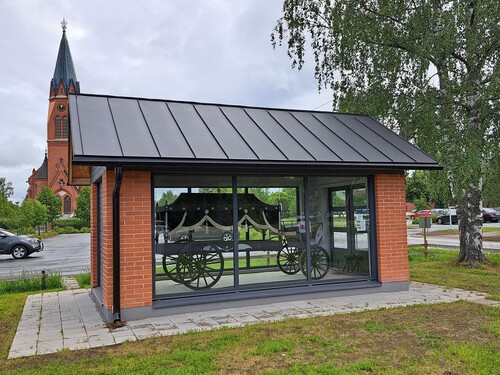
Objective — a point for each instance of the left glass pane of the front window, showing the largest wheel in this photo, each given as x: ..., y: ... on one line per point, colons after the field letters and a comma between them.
x: 193, y: 234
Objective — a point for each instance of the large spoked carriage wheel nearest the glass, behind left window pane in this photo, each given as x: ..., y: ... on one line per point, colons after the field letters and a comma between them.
x: 200, y: 265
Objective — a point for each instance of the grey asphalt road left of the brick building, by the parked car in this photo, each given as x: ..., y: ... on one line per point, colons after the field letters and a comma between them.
x: 67, y: 254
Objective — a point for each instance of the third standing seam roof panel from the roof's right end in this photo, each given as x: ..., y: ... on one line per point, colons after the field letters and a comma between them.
x: 359, y: 144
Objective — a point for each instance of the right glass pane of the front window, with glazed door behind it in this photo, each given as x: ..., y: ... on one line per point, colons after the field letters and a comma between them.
x: 339, y: 206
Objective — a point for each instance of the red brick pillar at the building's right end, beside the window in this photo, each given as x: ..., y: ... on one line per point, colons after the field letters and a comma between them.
x: 390, y: 202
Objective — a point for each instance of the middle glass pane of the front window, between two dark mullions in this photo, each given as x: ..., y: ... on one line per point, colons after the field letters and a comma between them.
x: 271, y: 230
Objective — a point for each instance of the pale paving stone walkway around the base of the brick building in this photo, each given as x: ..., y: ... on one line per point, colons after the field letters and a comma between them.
x: 69, y: 319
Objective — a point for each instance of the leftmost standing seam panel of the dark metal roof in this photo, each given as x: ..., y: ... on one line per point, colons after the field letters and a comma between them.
x: 96, y: 127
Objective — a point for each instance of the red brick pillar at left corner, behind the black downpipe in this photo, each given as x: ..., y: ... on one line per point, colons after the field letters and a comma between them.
x: 136, y: 256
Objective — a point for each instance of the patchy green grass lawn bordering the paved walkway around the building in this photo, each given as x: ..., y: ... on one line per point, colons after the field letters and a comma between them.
x: 456, y: 338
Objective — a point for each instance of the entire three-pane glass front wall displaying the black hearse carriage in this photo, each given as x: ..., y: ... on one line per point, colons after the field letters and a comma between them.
x: 221, y: 234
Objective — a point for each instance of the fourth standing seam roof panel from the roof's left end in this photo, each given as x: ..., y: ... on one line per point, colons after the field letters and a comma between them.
x: 197, y: 135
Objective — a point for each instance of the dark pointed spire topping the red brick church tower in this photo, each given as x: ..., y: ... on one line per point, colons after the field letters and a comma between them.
x: 64, y: 80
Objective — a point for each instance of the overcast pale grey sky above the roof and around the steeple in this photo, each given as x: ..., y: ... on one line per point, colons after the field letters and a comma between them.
x: 206, y: 50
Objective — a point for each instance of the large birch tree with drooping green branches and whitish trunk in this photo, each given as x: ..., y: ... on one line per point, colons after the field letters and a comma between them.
x: 429, y: 69
